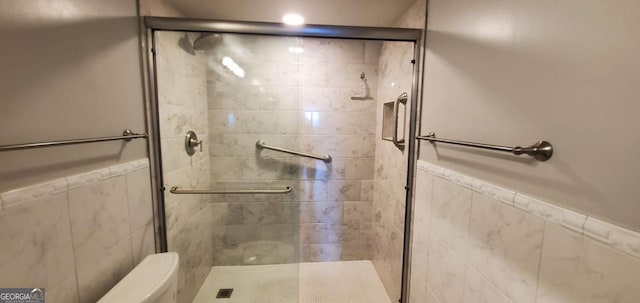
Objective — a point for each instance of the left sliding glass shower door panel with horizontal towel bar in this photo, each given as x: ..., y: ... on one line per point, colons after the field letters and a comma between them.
x: 231, y: 207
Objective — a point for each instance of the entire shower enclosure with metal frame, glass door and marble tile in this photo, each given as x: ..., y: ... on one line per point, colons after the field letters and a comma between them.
x: 270, y: 158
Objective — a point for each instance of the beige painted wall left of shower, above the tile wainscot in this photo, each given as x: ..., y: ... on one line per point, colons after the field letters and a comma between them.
x: 70, y: 69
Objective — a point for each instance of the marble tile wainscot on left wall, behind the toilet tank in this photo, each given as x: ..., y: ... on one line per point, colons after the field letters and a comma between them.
x: 77, y: 236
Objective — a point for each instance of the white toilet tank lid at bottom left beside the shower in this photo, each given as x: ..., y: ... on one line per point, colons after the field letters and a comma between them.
x: 154, y: 280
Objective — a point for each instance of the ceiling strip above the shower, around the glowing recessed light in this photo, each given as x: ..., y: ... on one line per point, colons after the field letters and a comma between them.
x: 334, y: 12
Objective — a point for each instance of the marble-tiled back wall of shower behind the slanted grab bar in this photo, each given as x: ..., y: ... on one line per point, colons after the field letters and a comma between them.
x: 293, y: 93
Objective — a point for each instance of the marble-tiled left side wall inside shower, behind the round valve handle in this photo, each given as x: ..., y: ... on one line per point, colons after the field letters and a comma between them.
x: 182, y: 97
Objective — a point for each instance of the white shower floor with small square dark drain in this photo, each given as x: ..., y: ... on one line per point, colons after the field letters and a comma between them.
x: 318, y: 282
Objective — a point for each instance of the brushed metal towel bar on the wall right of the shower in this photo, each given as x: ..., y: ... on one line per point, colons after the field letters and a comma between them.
x: 541, y: 150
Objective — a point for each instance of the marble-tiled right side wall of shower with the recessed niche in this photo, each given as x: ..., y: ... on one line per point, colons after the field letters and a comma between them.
x: 396, y: 73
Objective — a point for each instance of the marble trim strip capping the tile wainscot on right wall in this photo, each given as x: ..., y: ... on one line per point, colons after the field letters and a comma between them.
x: 614, y: 236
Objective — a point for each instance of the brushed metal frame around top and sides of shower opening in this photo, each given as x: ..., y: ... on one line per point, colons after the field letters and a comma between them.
x: 394, y: 34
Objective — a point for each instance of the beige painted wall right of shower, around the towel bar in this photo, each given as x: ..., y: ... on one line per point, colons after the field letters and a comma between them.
x: 513, y: 72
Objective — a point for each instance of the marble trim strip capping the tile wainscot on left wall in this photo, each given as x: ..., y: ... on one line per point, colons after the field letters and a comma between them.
x: 44, y: 190
